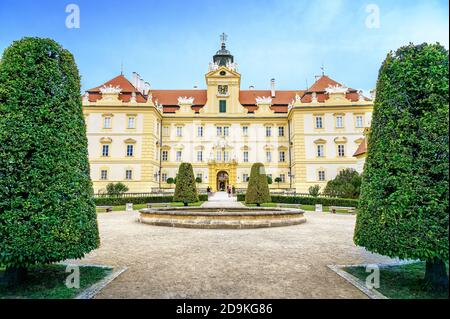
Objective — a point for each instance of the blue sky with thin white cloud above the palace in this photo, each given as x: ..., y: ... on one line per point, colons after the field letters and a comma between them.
x: 170, y: 43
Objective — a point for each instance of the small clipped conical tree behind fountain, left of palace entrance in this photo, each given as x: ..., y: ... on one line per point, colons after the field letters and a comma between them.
x: 185, y: 190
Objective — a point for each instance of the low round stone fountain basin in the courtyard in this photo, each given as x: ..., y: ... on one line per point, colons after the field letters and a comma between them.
x: 222, y: 218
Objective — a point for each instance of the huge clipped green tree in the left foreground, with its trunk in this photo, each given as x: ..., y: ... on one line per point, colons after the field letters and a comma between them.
x: 47, y: 211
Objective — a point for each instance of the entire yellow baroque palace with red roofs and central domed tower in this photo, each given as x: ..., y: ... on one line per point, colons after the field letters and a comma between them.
x: 139, y: 136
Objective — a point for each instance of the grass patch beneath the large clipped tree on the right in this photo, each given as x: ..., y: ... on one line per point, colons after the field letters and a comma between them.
x: 400, y: 282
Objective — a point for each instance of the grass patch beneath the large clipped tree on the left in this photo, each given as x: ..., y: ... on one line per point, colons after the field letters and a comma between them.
x: 49, y: 282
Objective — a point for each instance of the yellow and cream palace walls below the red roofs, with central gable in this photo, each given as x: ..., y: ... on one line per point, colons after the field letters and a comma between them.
x: 156, y: 132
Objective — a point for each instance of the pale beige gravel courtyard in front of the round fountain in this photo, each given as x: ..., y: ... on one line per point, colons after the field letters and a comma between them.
x: 288, y: 262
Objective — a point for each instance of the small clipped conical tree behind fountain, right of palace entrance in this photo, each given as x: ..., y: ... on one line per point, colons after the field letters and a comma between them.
x: 258, y: 187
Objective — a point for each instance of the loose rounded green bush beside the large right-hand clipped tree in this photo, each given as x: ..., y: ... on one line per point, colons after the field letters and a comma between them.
x: 347, y: 184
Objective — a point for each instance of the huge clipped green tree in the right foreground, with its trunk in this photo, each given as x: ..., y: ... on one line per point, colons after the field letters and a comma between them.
x: 404, y: 194
